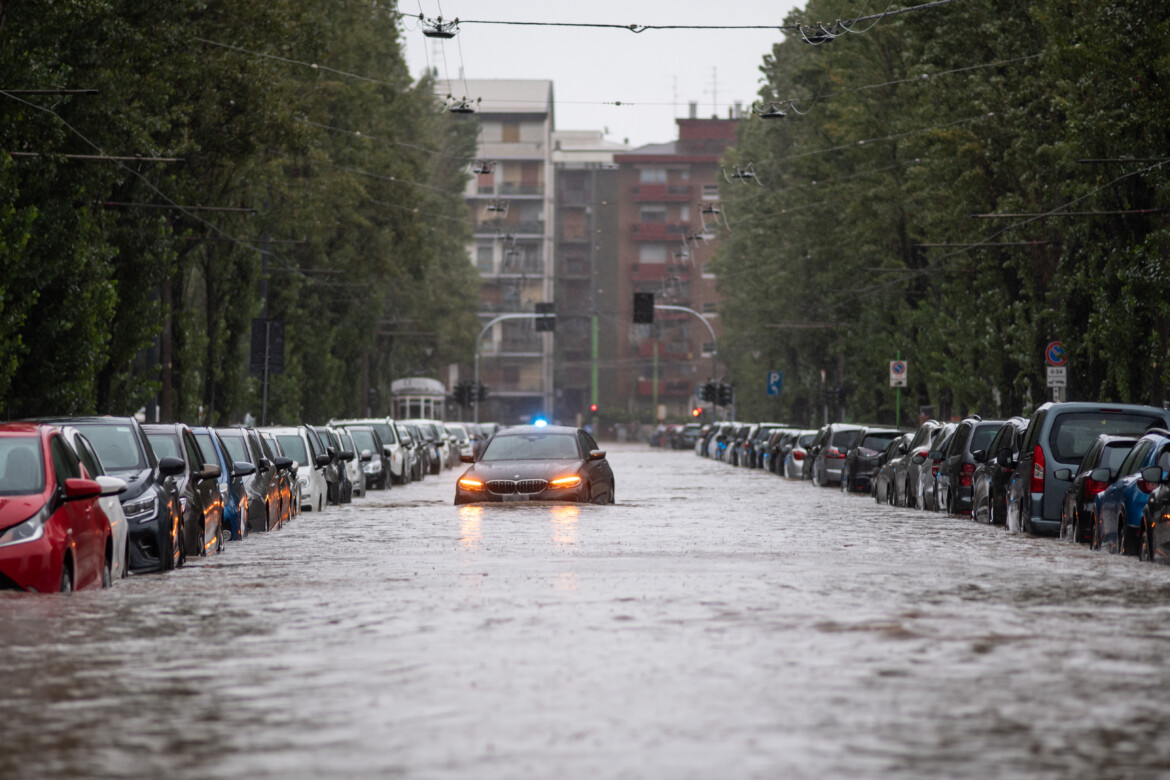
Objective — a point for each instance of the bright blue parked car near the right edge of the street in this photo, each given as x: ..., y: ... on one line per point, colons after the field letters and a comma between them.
x: 1120, y: 507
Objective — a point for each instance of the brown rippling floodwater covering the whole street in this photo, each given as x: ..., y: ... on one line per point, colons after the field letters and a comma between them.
x: 717, y: 623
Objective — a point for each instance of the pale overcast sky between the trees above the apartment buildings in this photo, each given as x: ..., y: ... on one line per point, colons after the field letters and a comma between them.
x: 657, y: 71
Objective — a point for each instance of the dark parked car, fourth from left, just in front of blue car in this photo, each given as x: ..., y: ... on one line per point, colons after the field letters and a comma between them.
x: 199, y: 498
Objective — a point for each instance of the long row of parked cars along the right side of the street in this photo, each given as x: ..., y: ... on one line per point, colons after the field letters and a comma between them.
x: 1090, y: 473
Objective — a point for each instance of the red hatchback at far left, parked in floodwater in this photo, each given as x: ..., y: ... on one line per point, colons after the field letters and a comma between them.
x: 53, y: 533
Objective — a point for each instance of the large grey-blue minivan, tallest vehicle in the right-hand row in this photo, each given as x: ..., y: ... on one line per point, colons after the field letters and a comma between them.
x: 1058, y: 436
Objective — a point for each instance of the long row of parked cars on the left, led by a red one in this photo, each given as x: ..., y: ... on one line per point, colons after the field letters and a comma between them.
x: 86, y: 501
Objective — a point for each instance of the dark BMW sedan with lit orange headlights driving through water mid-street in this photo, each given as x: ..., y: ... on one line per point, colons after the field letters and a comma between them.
x: 539, y: 464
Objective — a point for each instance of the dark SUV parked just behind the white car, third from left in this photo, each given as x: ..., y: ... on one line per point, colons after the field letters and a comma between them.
x: 152, y: 501
